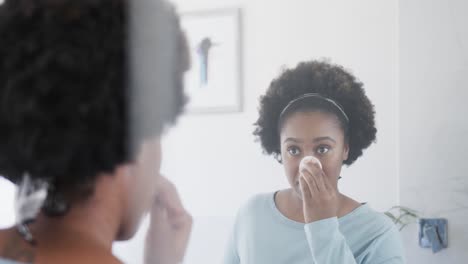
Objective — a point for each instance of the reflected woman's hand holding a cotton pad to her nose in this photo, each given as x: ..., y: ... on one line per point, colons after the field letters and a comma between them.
x: 319, y: 194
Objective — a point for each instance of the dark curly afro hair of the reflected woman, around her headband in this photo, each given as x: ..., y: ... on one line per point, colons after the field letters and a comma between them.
x: 330, y: 81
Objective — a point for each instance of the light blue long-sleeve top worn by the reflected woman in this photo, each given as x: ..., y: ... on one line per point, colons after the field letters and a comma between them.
x: 263, y: 235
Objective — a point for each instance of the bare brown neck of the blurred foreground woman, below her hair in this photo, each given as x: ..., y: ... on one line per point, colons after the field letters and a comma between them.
x: 93, y: 223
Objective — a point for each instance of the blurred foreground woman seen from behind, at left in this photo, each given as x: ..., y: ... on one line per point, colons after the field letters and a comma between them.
x: 64, y: 136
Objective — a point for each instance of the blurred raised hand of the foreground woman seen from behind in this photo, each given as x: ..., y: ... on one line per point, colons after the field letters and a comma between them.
x: 170, y: 227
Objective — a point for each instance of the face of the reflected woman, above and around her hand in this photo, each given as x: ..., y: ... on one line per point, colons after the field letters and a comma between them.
x: 315, y: 134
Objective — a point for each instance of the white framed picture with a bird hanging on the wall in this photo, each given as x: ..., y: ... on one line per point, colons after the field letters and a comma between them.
x: 214, y: 81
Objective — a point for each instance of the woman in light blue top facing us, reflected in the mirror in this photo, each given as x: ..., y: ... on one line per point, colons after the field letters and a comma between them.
x: 320, y: 111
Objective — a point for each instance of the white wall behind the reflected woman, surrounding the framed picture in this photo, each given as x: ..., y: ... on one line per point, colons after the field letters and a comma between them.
x: 213, y: 158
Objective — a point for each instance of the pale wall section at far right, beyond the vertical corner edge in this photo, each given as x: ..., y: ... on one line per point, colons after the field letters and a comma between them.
x: 433, y: 120
